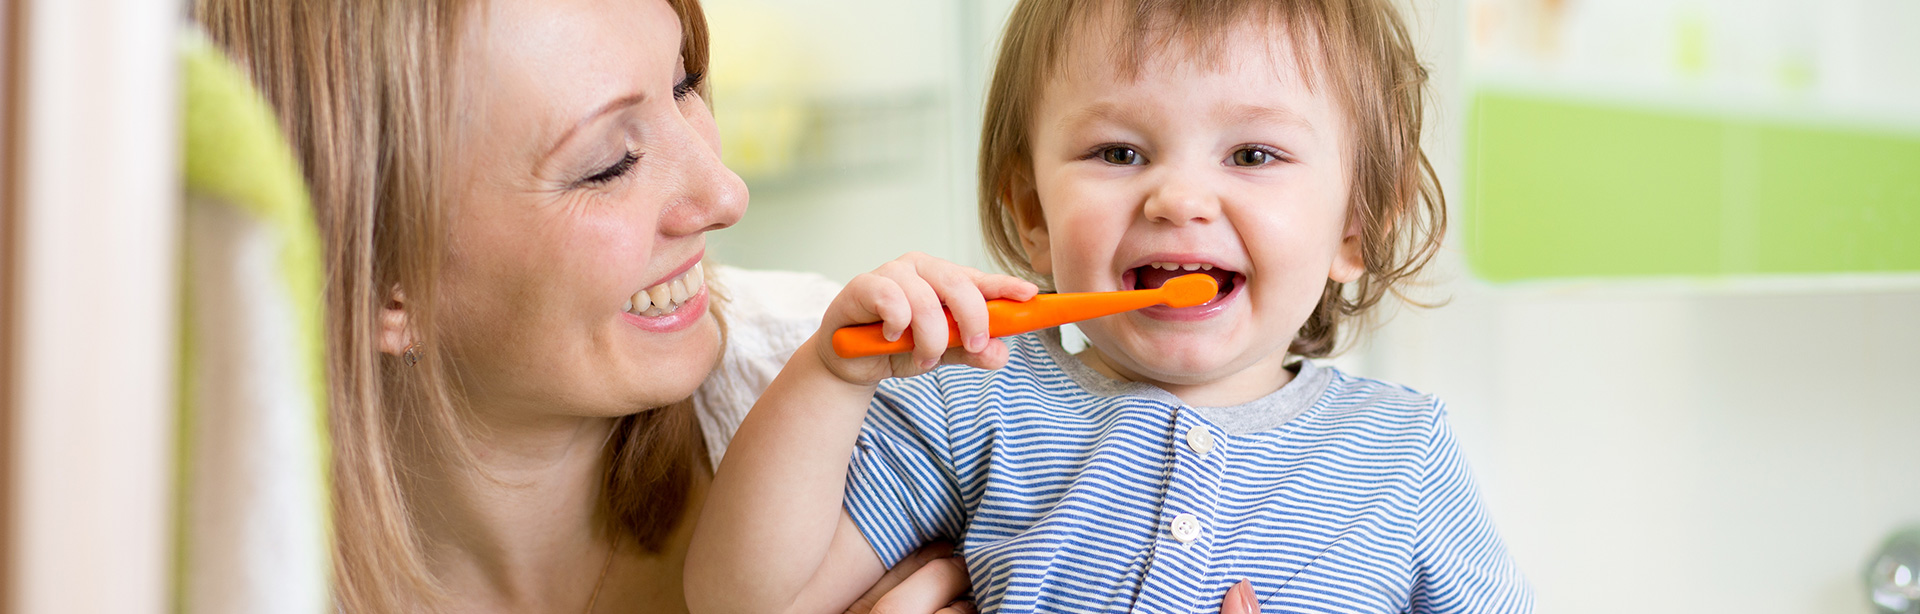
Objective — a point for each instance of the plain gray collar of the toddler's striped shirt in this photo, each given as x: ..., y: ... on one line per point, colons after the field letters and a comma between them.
x: 1266, y: 413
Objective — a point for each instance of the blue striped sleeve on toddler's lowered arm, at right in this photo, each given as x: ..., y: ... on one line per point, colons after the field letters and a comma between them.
x: 1460, y: 565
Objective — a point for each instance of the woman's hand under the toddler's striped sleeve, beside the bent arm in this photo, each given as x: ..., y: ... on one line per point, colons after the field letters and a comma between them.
x: 928, y: 580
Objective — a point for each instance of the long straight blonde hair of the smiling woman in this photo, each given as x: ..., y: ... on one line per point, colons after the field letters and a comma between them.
x: 364, y: 93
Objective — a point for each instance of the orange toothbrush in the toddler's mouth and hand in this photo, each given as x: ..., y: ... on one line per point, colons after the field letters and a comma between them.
x: 1044, y: 312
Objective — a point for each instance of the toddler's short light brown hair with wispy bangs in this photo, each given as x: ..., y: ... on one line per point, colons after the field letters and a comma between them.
x: 1372, y: 66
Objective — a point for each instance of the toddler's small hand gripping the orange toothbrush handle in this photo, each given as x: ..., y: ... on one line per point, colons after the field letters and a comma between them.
x: 907, y: 296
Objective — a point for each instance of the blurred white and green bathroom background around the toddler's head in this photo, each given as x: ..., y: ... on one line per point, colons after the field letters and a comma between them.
x: 1685, y: 266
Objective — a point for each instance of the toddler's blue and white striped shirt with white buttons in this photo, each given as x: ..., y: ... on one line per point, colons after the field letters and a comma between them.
x: 1076, y: 494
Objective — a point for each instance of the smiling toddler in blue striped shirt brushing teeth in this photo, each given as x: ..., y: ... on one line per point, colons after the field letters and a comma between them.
x: 1268, y: 145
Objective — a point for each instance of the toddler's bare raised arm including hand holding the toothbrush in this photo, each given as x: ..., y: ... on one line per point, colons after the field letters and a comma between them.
x: 773, y: 536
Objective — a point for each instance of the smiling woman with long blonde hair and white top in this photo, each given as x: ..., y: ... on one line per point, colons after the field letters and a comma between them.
x: 514, y: 199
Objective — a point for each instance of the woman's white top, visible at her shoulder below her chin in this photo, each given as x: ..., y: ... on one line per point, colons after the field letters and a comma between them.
x: 769, y: 316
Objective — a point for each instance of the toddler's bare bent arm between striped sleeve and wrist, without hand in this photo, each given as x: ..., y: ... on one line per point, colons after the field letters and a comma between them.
x: 775, y: 506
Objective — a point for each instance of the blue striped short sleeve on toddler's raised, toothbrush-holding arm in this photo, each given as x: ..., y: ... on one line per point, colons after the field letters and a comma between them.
x: 901, y: 488
